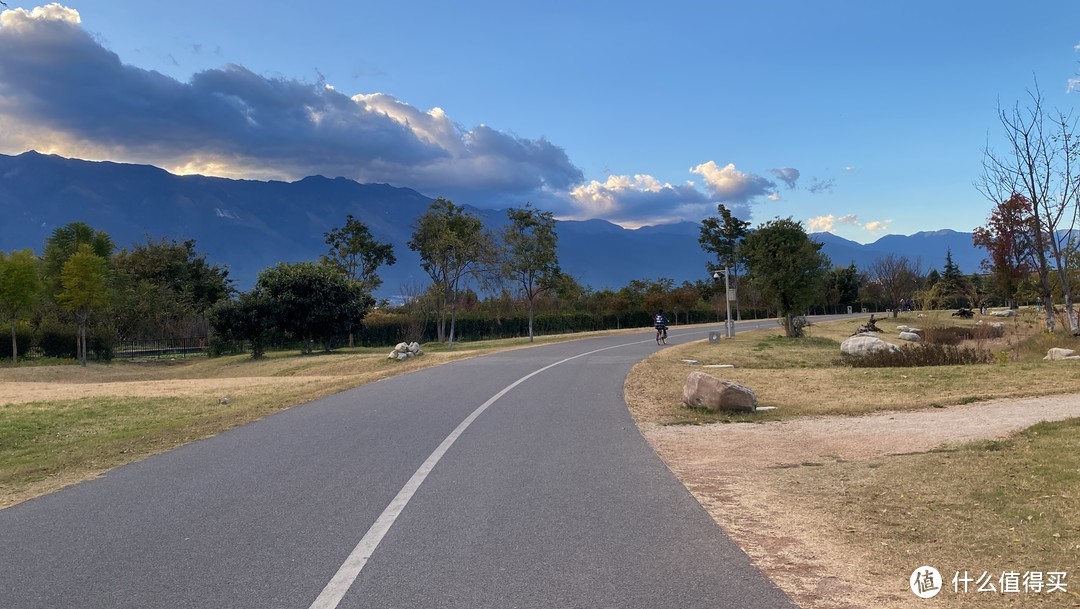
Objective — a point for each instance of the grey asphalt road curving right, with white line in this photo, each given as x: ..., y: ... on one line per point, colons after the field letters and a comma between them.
x: 449, y: 489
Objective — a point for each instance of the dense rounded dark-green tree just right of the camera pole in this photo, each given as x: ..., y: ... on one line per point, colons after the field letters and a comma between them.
x: 788, y: 267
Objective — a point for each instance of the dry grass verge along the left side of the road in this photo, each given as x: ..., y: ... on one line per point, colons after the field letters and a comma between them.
x: 63, y: 424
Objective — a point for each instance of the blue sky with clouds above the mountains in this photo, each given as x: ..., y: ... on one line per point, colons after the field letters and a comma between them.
x: 861, y: 118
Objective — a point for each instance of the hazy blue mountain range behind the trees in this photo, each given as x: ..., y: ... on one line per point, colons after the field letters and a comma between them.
x: 251, y: 225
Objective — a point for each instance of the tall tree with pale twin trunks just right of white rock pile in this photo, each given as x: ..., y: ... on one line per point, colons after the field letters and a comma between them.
x: 453, y: 247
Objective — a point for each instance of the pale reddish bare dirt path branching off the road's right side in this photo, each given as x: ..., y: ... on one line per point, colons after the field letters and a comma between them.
x: 730, y: 468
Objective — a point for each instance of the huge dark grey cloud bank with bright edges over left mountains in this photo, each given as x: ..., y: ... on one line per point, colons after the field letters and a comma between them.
x: 62, y: 92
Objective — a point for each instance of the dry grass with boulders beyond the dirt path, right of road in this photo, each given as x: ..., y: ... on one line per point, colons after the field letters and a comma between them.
x: 801, y: 377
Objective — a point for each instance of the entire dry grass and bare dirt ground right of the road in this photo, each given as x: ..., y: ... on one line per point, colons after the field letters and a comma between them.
x: 819, y: 498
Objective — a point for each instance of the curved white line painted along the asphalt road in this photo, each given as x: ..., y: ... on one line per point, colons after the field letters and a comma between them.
x: 335, y: 591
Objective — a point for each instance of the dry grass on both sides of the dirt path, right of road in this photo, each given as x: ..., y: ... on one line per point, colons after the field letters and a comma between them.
x: 1010, y: 508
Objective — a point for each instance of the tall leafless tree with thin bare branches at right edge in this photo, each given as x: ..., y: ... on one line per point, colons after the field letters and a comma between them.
x: 1041, y: 165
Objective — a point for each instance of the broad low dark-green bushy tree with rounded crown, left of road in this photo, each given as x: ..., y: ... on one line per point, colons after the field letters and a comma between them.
x: 313, y: 302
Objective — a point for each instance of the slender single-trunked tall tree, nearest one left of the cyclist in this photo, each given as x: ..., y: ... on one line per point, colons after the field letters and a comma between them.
x: 531, y: 259
